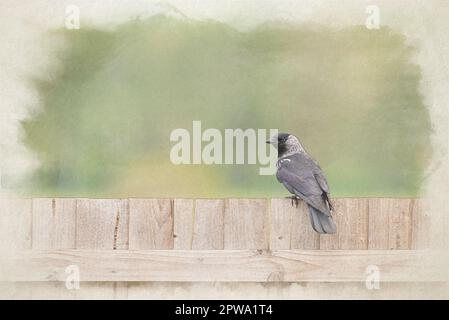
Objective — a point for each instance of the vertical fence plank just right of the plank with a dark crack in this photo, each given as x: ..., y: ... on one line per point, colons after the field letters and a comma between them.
x: 150, y: 224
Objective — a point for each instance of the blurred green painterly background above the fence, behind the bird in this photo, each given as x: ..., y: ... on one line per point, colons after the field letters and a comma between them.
x: 108, y: 107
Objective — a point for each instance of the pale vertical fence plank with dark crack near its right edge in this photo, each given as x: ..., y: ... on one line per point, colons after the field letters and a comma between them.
x: 101, y: 224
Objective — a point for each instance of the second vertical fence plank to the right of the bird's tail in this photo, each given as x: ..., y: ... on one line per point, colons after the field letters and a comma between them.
x: 389, y: 223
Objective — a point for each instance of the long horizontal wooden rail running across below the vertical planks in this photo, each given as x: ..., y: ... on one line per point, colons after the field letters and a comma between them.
x: 225, y: 265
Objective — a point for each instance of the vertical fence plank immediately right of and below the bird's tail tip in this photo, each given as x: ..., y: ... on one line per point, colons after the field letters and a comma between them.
x: 351, y: 217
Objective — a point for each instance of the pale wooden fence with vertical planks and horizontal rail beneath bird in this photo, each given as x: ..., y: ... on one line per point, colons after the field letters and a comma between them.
x: 214, y: 240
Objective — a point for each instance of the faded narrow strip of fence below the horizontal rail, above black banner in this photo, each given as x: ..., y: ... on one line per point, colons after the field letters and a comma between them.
x: 222, y: 291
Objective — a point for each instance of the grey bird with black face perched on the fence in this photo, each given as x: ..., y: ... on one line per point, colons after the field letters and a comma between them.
x: 302, y: 176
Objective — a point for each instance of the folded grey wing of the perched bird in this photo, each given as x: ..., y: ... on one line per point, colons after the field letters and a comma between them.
x: 298, y: 173
